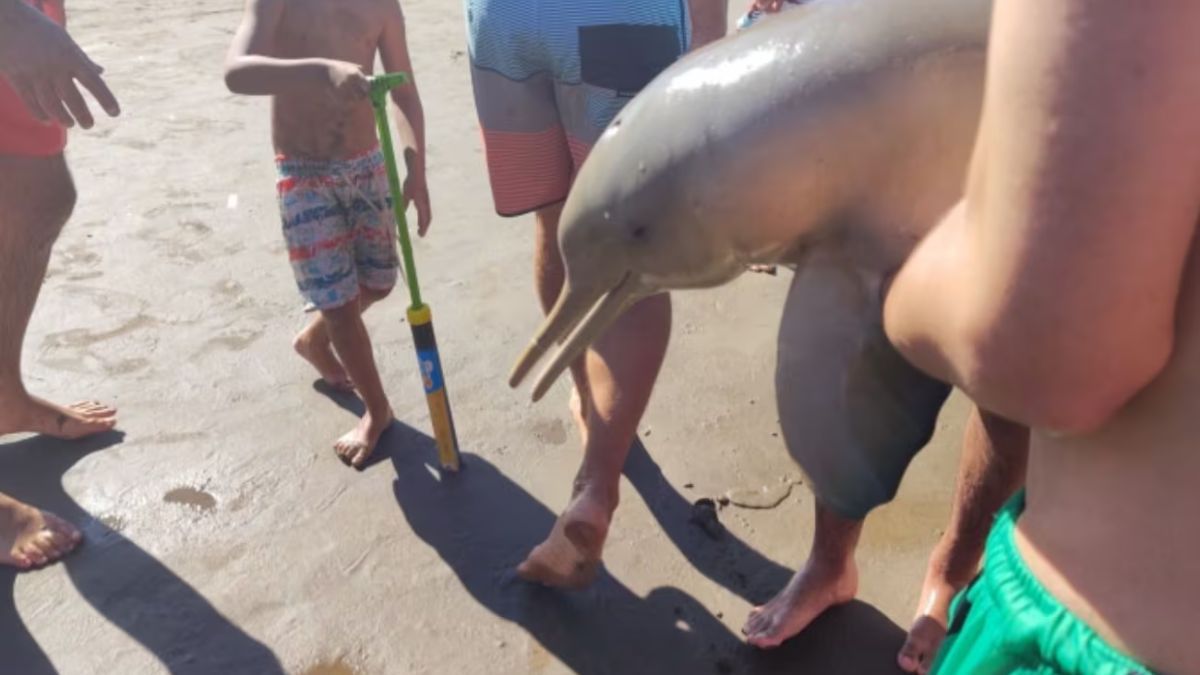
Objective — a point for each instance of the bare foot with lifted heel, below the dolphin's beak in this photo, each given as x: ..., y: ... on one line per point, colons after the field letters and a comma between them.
x: 571, y: 557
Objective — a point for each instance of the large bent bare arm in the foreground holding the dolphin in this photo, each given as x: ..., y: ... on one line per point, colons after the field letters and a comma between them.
x: 1051, y: 294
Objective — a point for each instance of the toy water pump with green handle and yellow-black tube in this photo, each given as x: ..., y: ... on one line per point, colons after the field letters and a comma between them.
x: 419, y: 316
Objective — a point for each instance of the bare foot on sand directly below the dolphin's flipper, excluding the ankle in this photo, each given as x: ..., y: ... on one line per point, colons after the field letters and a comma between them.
x: 812, y: 592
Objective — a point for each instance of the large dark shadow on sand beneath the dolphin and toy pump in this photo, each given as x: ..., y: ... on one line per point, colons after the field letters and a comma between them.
x: 483, y: 524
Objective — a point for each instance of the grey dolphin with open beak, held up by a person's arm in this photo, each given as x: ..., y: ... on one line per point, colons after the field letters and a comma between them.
x: 830, y: 140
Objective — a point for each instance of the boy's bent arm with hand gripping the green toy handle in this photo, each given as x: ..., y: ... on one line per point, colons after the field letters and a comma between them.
x: 251, y: 69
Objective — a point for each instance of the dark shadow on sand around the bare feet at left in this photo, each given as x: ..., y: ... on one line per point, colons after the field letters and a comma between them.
x: 122, y: 582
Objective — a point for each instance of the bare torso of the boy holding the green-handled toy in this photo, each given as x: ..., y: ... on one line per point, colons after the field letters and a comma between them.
x: 311, y: 126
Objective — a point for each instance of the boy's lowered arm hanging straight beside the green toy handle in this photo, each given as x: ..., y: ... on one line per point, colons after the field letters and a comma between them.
x: 411, y: 118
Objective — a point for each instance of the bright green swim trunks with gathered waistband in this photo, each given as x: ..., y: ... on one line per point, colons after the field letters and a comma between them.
x: 1006, y: 622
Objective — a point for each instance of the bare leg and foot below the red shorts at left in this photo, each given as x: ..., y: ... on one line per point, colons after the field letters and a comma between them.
x: 37, y: 199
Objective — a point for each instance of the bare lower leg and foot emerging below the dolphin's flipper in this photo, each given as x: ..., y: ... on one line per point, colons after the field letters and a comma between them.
x: 827, y: 580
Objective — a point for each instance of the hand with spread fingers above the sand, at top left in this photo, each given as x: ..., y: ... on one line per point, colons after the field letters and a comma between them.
x: 43, y: 64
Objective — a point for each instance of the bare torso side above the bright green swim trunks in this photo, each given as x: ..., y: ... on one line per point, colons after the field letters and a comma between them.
x: 1113, y: 519
